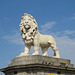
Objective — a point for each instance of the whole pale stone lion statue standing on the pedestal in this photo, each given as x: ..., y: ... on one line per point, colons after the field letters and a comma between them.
x: 32, y: 37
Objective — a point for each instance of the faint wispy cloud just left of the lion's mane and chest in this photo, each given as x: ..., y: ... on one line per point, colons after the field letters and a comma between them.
x: 16, y: 38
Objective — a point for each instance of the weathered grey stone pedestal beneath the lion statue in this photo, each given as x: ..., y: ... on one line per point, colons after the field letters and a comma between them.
x: 39, y: 65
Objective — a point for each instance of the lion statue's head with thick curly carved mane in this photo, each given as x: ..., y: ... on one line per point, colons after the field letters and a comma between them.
x: 29, y: 28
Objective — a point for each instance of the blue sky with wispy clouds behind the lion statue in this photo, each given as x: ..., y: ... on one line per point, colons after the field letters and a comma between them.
x: 54, y: 17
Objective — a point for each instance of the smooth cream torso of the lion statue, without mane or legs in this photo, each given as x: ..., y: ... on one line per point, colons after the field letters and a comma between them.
x: 44, y: 40
